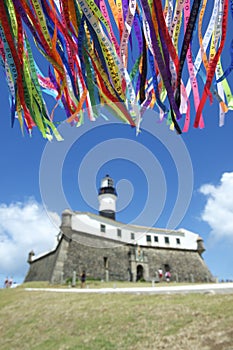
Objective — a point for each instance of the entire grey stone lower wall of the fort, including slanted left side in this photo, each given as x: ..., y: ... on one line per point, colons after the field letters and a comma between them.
x: 111, y: 260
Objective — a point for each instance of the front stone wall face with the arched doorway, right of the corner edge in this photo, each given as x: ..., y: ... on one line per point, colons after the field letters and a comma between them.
x: 90, y: 254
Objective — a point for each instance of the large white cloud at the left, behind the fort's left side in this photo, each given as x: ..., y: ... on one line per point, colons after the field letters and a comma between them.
x: 24, y: 227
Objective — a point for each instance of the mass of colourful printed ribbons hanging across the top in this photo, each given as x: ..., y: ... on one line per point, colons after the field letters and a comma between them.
x: 129, y: 54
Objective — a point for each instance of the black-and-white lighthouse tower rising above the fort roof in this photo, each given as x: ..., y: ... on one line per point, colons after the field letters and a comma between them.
x: 107, y: 198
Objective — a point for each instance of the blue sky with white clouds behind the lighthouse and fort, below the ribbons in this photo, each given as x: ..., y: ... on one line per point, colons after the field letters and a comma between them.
x: 148, y: 177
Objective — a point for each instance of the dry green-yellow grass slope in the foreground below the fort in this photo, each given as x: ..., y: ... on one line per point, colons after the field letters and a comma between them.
x: 40, y: 320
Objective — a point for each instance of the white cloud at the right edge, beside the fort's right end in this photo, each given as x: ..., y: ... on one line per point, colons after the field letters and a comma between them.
x: 218, y: 211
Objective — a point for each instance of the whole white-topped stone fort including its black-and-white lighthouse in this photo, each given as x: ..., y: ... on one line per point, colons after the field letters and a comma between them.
x: 111, y: 250
